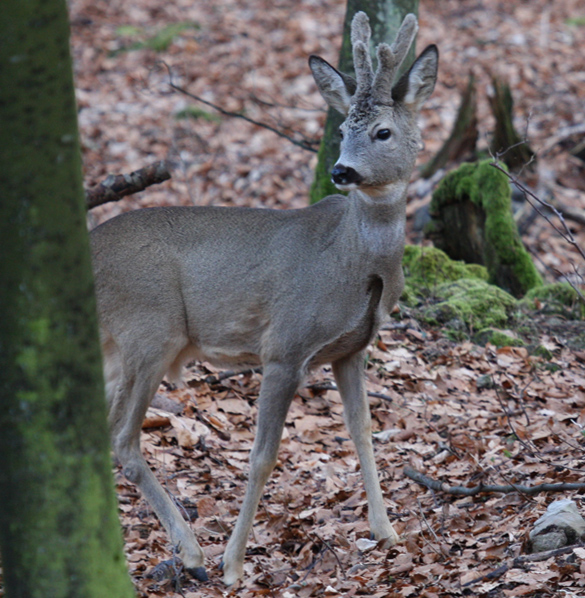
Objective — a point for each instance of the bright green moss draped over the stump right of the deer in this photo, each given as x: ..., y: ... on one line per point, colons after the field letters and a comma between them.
x: 508, y: 263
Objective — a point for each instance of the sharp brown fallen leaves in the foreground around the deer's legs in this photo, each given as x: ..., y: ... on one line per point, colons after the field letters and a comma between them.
x: 311, y: 535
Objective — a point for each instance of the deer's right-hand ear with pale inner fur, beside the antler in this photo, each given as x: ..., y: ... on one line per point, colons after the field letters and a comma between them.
x: 417, y: 84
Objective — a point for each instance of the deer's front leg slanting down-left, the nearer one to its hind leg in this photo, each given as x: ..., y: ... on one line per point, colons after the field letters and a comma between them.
x: 278, y: 388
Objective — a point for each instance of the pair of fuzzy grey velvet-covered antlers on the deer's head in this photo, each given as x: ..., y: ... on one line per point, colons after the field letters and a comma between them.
x: 390, y: 58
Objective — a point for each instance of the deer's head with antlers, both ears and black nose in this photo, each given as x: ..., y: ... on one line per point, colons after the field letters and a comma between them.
x: 380, y: 135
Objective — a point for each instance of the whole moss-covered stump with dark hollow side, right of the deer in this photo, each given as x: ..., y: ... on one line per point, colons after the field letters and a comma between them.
x: 472, y: 221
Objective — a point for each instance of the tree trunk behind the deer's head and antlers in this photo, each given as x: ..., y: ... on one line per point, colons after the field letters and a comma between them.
x: 385, y: 16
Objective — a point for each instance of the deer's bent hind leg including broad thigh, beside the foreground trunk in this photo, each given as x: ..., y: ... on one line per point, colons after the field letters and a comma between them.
x: 134, y: 377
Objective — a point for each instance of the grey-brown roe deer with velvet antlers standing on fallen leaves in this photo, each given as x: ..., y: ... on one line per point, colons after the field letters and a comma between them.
x: 288, y: 289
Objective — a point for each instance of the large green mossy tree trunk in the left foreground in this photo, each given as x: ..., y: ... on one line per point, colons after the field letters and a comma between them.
x: 59, y: 530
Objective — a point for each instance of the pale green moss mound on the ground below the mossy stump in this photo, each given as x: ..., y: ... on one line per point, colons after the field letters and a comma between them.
x: 472, y: 302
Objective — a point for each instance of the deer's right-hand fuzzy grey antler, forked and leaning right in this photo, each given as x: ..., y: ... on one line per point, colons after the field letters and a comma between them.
x: 390, y: 58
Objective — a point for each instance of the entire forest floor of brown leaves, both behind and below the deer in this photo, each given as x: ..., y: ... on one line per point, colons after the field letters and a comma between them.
x: 457, y: 412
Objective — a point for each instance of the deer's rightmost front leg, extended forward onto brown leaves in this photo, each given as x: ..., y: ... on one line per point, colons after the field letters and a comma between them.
x: 349, y: 375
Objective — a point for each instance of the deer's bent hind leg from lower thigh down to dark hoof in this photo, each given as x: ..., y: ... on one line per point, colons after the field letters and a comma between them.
x: 128, y: 406
